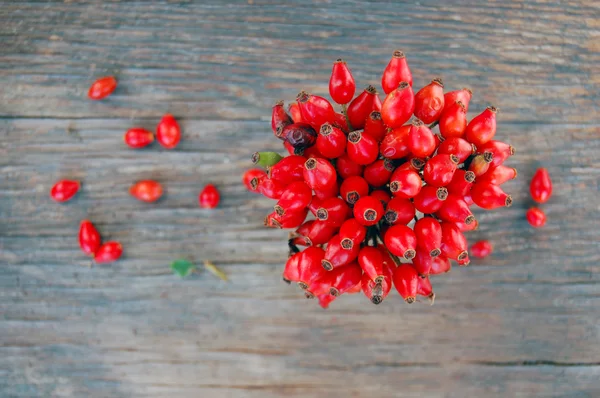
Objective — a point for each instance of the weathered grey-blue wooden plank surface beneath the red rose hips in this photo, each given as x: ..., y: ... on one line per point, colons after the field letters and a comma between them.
x: 524, y: 322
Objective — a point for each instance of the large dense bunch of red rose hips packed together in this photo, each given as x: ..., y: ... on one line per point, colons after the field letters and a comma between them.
x: 390, y: 198
